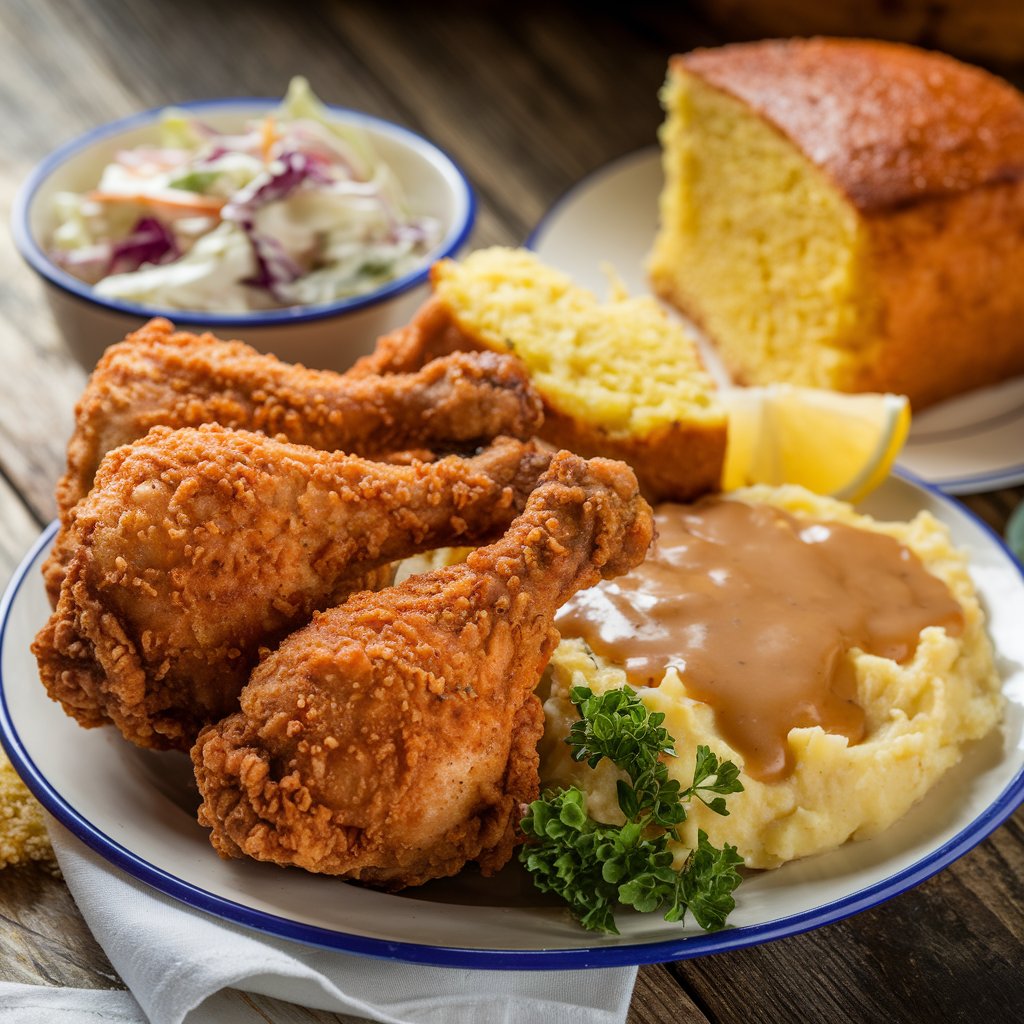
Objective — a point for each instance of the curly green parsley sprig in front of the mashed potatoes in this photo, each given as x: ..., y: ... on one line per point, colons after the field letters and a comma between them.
x: 596, y: 867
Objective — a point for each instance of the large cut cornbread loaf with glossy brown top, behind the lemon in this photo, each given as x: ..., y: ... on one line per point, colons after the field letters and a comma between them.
x: 846, y: 215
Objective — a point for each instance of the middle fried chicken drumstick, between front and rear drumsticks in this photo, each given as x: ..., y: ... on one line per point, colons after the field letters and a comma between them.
x: 197, y: 547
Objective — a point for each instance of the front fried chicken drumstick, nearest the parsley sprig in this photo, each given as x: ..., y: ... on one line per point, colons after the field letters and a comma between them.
x: 395, y: 739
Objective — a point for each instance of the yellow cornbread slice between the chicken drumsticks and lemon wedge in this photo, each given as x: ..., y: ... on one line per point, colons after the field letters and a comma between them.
x: 618, y: 379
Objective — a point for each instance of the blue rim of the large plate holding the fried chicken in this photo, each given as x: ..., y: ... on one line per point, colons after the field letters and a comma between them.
x: 685, y: 948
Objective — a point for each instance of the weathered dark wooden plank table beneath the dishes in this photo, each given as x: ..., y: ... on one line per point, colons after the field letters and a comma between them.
x: 528, y: 104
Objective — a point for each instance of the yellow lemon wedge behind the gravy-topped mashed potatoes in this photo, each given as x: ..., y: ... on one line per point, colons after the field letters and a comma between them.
x: 838, y: 445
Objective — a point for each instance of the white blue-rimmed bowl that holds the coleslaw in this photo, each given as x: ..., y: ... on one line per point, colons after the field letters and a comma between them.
x: 328, y: 336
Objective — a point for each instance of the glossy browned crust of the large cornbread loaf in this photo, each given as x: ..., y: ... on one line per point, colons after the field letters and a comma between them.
x: 930, y: 155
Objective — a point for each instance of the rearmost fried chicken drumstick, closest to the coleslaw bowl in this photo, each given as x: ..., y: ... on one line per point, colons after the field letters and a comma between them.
x: 158, y: 377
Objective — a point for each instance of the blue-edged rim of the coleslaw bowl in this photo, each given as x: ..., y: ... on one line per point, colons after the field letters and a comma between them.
x: 34, y: 255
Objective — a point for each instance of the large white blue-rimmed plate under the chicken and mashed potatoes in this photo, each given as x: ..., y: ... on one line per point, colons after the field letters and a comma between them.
x: 137, y: 808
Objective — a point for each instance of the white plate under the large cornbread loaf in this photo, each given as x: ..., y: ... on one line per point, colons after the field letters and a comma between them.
x: 970, y: 444
